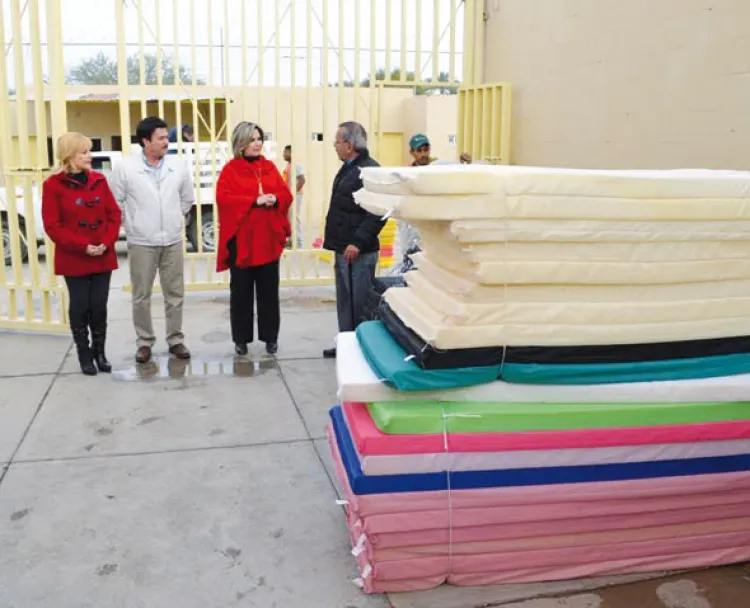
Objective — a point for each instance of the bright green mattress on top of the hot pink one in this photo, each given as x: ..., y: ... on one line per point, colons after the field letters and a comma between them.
x: 423, y: 417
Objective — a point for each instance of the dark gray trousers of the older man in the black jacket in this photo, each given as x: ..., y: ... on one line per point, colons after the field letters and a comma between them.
x: 356, y: 297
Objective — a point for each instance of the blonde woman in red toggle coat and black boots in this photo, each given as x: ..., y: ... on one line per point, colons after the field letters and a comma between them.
x: 83, y: 219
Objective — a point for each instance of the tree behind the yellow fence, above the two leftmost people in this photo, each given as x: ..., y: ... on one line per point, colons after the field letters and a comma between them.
x: 101, y: 69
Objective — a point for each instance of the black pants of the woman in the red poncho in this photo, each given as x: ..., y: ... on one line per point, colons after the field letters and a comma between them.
x: 245, y: 286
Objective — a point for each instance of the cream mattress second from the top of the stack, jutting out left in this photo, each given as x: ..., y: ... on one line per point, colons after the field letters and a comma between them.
x: 500, y: 206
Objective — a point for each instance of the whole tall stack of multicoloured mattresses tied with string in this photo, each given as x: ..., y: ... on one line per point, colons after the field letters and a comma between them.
x: 560, y: 389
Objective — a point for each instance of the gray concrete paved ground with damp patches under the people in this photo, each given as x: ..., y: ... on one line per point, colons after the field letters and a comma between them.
x: 208, y: 484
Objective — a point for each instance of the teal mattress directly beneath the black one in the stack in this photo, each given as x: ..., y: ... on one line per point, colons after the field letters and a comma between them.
x: 398, y: 369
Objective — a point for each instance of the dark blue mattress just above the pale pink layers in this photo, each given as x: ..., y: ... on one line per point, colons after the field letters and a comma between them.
x: 362, y: 484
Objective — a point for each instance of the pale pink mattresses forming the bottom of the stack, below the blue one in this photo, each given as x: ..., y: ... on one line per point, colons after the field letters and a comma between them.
x: 512, y: 535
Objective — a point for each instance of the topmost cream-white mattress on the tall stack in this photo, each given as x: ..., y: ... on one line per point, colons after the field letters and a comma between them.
x: 515, y: 180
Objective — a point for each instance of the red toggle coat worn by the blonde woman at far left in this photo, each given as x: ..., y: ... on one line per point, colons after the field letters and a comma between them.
x: 77, y: 215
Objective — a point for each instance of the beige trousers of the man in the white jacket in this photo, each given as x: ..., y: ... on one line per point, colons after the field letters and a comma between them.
x: 145, y: 261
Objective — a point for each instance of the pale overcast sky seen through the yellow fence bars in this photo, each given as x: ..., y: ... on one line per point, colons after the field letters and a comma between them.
x: 89, y: 27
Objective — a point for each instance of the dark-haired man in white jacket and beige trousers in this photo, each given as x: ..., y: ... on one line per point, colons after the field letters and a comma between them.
x: 156, y: 193
